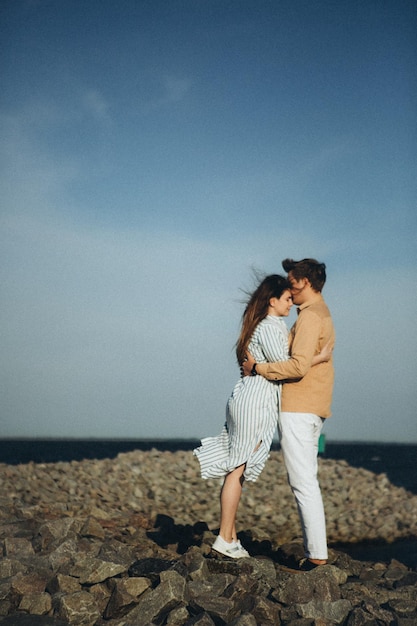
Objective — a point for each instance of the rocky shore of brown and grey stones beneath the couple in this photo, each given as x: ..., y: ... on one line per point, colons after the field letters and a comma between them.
x: 126, y: 542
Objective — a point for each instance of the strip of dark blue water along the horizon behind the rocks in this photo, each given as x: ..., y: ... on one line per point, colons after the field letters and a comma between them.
x: 397, y: 461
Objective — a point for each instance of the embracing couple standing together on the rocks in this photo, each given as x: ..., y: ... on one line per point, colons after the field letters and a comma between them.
x: 287, y: 379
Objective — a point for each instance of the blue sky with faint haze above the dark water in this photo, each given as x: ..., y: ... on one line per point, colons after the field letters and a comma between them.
x: 156, y: 157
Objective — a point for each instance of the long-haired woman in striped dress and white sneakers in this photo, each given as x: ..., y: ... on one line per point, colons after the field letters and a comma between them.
x: 240, y: 452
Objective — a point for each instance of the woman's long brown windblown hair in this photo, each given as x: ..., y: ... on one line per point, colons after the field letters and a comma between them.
x: 256, y: 310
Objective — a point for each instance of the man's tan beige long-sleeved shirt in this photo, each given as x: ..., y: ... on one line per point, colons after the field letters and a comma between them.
x: 307, y: 388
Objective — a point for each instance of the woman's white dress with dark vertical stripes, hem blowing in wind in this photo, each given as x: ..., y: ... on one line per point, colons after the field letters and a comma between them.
x: 251, y: 412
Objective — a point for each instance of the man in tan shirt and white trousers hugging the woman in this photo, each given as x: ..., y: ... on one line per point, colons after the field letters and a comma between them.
x: 306, y: 399
